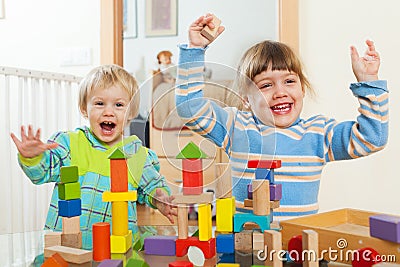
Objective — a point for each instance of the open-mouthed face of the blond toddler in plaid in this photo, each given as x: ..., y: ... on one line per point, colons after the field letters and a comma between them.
x: 107, y: 110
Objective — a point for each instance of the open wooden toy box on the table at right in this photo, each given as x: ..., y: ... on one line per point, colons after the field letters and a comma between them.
x: 344, y: 230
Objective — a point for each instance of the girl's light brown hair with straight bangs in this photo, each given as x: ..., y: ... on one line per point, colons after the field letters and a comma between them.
x: 266, y: 54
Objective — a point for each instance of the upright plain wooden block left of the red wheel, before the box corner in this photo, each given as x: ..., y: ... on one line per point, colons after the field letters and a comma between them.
x: 273, y: 241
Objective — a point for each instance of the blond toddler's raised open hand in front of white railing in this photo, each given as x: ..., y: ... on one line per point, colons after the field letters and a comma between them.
x: 30, y: 145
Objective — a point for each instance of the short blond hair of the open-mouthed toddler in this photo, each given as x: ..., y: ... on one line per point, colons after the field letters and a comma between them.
x: 106, y: 76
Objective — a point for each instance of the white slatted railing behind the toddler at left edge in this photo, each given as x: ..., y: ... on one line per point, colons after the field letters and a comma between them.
x: 46, y: 100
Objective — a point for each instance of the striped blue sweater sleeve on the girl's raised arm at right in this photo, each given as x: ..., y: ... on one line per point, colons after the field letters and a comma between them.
x: 369, y: 134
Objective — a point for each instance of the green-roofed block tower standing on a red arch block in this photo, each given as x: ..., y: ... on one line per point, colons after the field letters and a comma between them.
x: 192, y: 176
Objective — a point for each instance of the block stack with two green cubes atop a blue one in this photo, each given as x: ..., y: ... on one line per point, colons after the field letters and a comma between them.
x: 69, y: 194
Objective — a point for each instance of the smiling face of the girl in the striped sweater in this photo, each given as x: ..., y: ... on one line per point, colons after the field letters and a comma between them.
x: 278, y: 98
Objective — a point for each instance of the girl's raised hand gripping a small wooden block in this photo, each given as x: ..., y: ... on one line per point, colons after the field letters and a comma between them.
x: 196, y: 39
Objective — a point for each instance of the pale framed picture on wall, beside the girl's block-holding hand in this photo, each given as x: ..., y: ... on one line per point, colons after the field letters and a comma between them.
x: 161, y: 18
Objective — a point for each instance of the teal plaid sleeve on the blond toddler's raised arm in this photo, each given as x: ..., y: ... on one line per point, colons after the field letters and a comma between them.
x: 47, y: 167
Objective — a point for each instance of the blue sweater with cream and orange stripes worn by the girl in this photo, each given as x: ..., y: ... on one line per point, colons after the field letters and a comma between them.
x: 304, y: 148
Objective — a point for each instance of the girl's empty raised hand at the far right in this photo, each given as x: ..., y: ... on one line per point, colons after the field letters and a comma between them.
x: 365, y: 68
